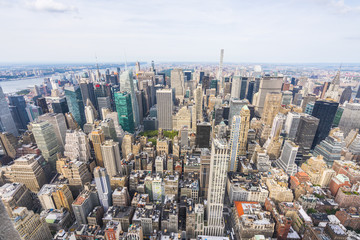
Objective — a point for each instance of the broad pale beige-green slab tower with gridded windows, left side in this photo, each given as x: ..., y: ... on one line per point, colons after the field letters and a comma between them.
x: 46, y: 140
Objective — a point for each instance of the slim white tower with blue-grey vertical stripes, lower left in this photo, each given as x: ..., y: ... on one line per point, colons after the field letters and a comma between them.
x: 103, y: 187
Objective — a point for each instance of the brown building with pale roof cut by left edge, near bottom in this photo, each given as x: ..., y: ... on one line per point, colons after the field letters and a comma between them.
x: 15, y: 195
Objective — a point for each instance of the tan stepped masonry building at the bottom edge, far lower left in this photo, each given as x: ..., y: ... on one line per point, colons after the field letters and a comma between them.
x: 30, y: 225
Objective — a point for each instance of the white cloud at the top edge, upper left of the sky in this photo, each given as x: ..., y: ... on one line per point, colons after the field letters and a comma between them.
x: 50, y: 6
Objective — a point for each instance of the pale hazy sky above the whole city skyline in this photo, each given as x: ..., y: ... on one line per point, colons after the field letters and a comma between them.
x: 258, y: 31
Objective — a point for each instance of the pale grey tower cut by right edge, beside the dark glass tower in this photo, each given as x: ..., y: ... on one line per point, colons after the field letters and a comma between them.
x: 350, y: 118
